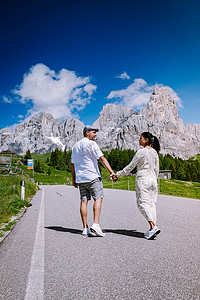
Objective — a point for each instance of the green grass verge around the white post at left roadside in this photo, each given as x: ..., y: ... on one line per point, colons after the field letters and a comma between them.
x: 10, y: 196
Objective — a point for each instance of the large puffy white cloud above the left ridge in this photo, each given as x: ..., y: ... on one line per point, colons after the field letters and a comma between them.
x: 59, y: 93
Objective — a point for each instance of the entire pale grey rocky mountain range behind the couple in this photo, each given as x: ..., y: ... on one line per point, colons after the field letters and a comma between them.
x: 120, y: 127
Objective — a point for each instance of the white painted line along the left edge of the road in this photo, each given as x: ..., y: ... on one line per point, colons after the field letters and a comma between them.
x: 35, y: 286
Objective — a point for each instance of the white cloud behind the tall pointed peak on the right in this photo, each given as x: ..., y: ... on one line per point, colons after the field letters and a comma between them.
x: 137, y: 94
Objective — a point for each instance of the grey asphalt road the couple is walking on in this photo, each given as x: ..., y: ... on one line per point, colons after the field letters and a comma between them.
x: 45, y: 256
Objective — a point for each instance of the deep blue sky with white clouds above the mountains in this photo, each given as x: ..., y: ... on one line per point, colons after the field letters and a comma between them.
x: 70, y: 58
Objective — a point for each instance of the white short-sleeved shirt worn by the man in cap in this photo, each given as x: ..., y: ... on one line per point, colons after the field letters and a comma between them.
x: 85, y: 155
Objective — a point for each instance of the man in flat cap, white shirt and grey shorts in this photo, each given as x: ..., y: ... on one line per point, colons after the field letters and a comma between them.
x: 86, y: 175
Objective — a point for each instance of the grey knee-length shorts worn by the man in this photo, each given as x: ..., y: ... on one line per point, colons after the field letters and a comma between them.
x: 93, y: 188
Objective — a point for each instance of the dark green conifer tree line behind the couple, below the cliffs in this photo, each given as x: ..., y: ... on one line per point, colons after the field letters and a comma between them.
x: 186, y: 170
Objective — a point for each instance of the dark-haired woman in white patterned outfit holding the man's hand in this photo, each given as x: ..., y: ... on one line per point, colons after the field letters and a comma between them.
x: 147, y: 162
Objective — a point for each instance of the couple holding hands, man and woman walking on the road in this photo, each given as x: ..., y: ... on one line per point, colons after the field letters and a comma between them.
x: 86, y: 176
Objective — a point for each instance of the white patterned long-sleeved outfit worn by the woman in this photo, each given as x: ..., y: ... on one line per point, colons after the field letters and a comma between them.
x: 147, y: 162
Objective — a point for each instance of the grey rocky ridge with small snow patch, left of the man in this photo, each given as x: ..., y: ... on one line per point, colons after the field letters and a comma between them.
x: 42, y: 133
